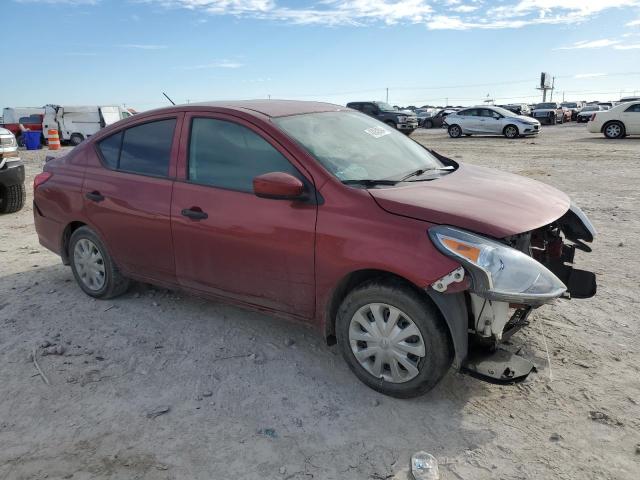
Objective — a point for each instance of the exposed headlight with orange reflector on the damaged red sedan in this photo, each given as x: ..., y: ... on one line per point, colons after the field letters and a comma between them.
x: 498, y: 272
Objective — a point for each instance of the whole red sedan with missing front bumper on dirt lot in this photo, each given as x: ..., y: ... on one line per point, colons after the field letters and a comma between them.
x: 325, y: 215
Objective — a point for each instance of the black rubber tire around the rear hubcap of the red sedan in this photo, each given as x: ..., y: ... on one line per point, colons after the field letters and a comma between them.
x: 115, y: 283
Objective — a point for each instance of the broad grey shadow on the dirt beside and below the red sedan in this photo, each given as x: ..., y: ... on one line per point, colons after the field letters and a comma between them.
x: 237, y: 379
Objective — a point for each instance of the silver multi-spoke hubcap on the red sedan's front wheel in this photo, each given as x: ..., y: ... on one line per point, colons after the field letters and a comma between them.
x: 386, y: 342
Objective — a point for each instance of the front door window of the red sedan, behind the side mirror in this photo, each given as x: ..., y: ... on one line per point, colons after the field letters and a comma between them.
x: 227, y: 155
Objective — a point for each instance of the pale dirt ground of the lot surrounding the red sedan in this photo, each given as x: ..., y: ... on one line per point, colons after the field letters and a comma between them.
x: 253, y: 397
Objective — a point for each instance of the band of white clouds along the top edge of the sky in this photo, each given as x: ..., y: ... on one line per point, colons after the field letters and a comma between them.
x: 436, y: 15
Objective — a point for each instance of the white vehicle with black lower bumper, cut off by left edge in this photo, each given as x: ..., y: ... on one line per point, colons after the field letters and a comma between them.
x: 12, y: 191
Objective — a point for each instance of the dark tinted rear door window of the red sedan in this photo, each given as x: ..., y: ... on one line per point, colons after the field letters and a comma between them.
x: 143, y: 149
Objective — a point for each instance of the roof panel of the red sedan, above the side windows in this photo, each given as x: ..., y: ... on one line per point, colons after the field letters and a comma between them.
x: 268, y: 108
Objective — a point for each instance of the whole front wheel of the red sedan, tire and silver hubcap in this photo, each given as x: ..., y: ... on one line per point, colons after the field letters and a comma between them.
x: 393, y: 339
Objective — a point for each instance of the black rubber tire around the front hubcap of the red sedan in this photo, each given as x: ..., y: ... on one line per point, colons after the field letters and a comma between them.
x: 438, y: 352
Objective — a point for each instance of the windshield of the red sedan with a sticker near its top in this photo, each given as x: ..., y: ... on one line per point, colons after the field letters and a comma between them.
x: 353, y: 146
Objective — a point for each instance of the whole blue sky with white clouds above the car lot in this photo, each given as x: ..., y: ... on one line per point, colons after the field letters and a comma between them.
x: 424, y: 51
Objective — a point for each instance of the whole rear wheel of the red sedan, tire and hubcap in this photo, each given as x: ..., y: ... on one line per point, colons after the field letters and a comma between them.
x: 93, y: 267
